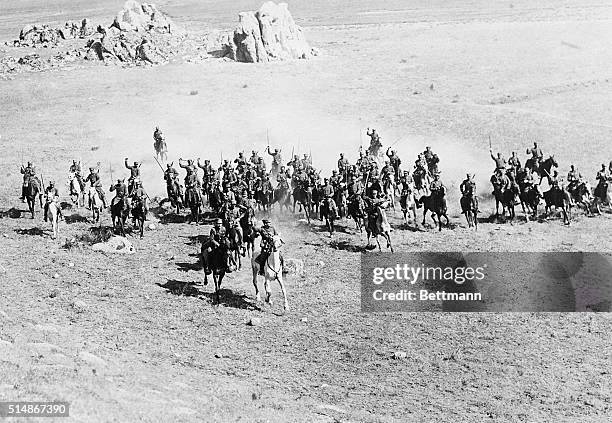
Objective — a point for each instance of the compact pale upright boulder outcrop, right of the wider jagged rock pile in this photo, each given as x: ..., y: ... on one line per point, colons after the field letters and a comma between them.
x: 270, y: 34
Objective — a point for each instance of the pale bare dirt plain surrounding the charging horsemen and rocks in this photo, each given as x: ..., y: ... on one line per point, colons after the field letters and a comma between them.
x: 111, y: 335
